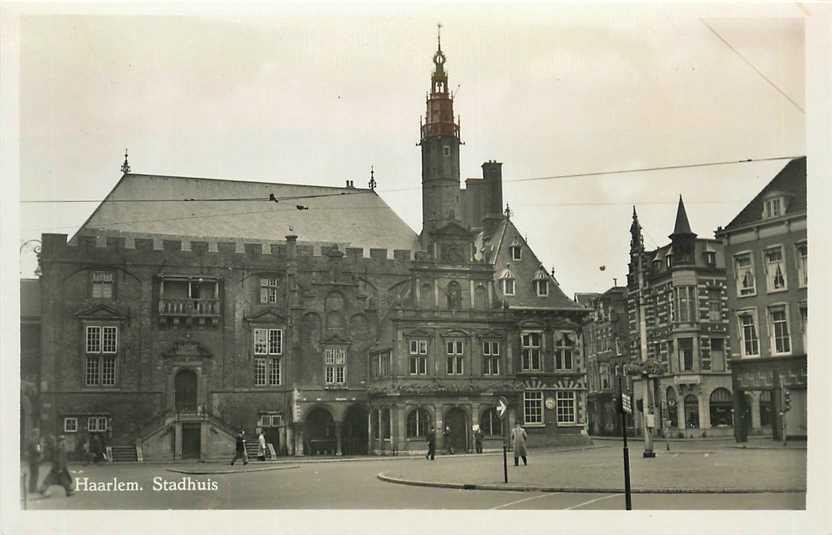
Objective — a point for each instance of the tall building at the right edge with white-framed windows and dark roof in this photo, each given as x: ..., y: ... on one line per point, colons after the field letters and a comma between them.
x: 766, y: 247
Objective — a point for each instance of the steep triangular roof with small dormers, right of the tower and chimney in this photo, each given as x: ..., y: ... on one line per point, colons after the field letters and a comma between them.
x: 495, y: 249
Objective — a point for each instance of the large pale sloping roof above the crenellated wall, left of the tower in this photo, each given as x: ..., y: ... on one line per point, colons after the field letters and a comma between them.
x: 155, y: 204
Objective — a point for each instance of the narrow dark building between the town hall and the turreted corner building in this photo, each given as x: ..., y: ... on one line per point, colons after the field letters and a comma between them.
x: 606, y: 341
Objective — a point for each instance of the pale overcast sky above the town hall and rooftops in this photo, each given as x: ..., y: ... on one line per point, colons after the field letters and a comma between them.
x: 303, y: 95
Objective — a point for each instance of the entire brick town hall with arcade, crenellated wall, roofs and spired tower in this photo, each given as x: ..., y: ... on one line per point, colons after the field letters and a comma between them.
x: 321, y: 317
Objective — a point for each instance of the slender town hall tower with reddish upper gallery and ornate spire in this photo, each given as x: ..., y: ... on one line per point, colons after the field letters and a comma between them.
x: 440, y: 142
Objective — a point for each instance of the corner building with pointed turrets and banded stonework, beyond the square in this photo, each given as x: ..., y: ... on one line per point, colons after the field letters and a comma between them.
x: 677, y: 304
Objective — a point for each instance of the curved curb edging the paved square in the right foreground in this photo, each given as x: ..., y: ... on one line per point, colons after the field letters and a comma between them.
x: 582, y: 490
